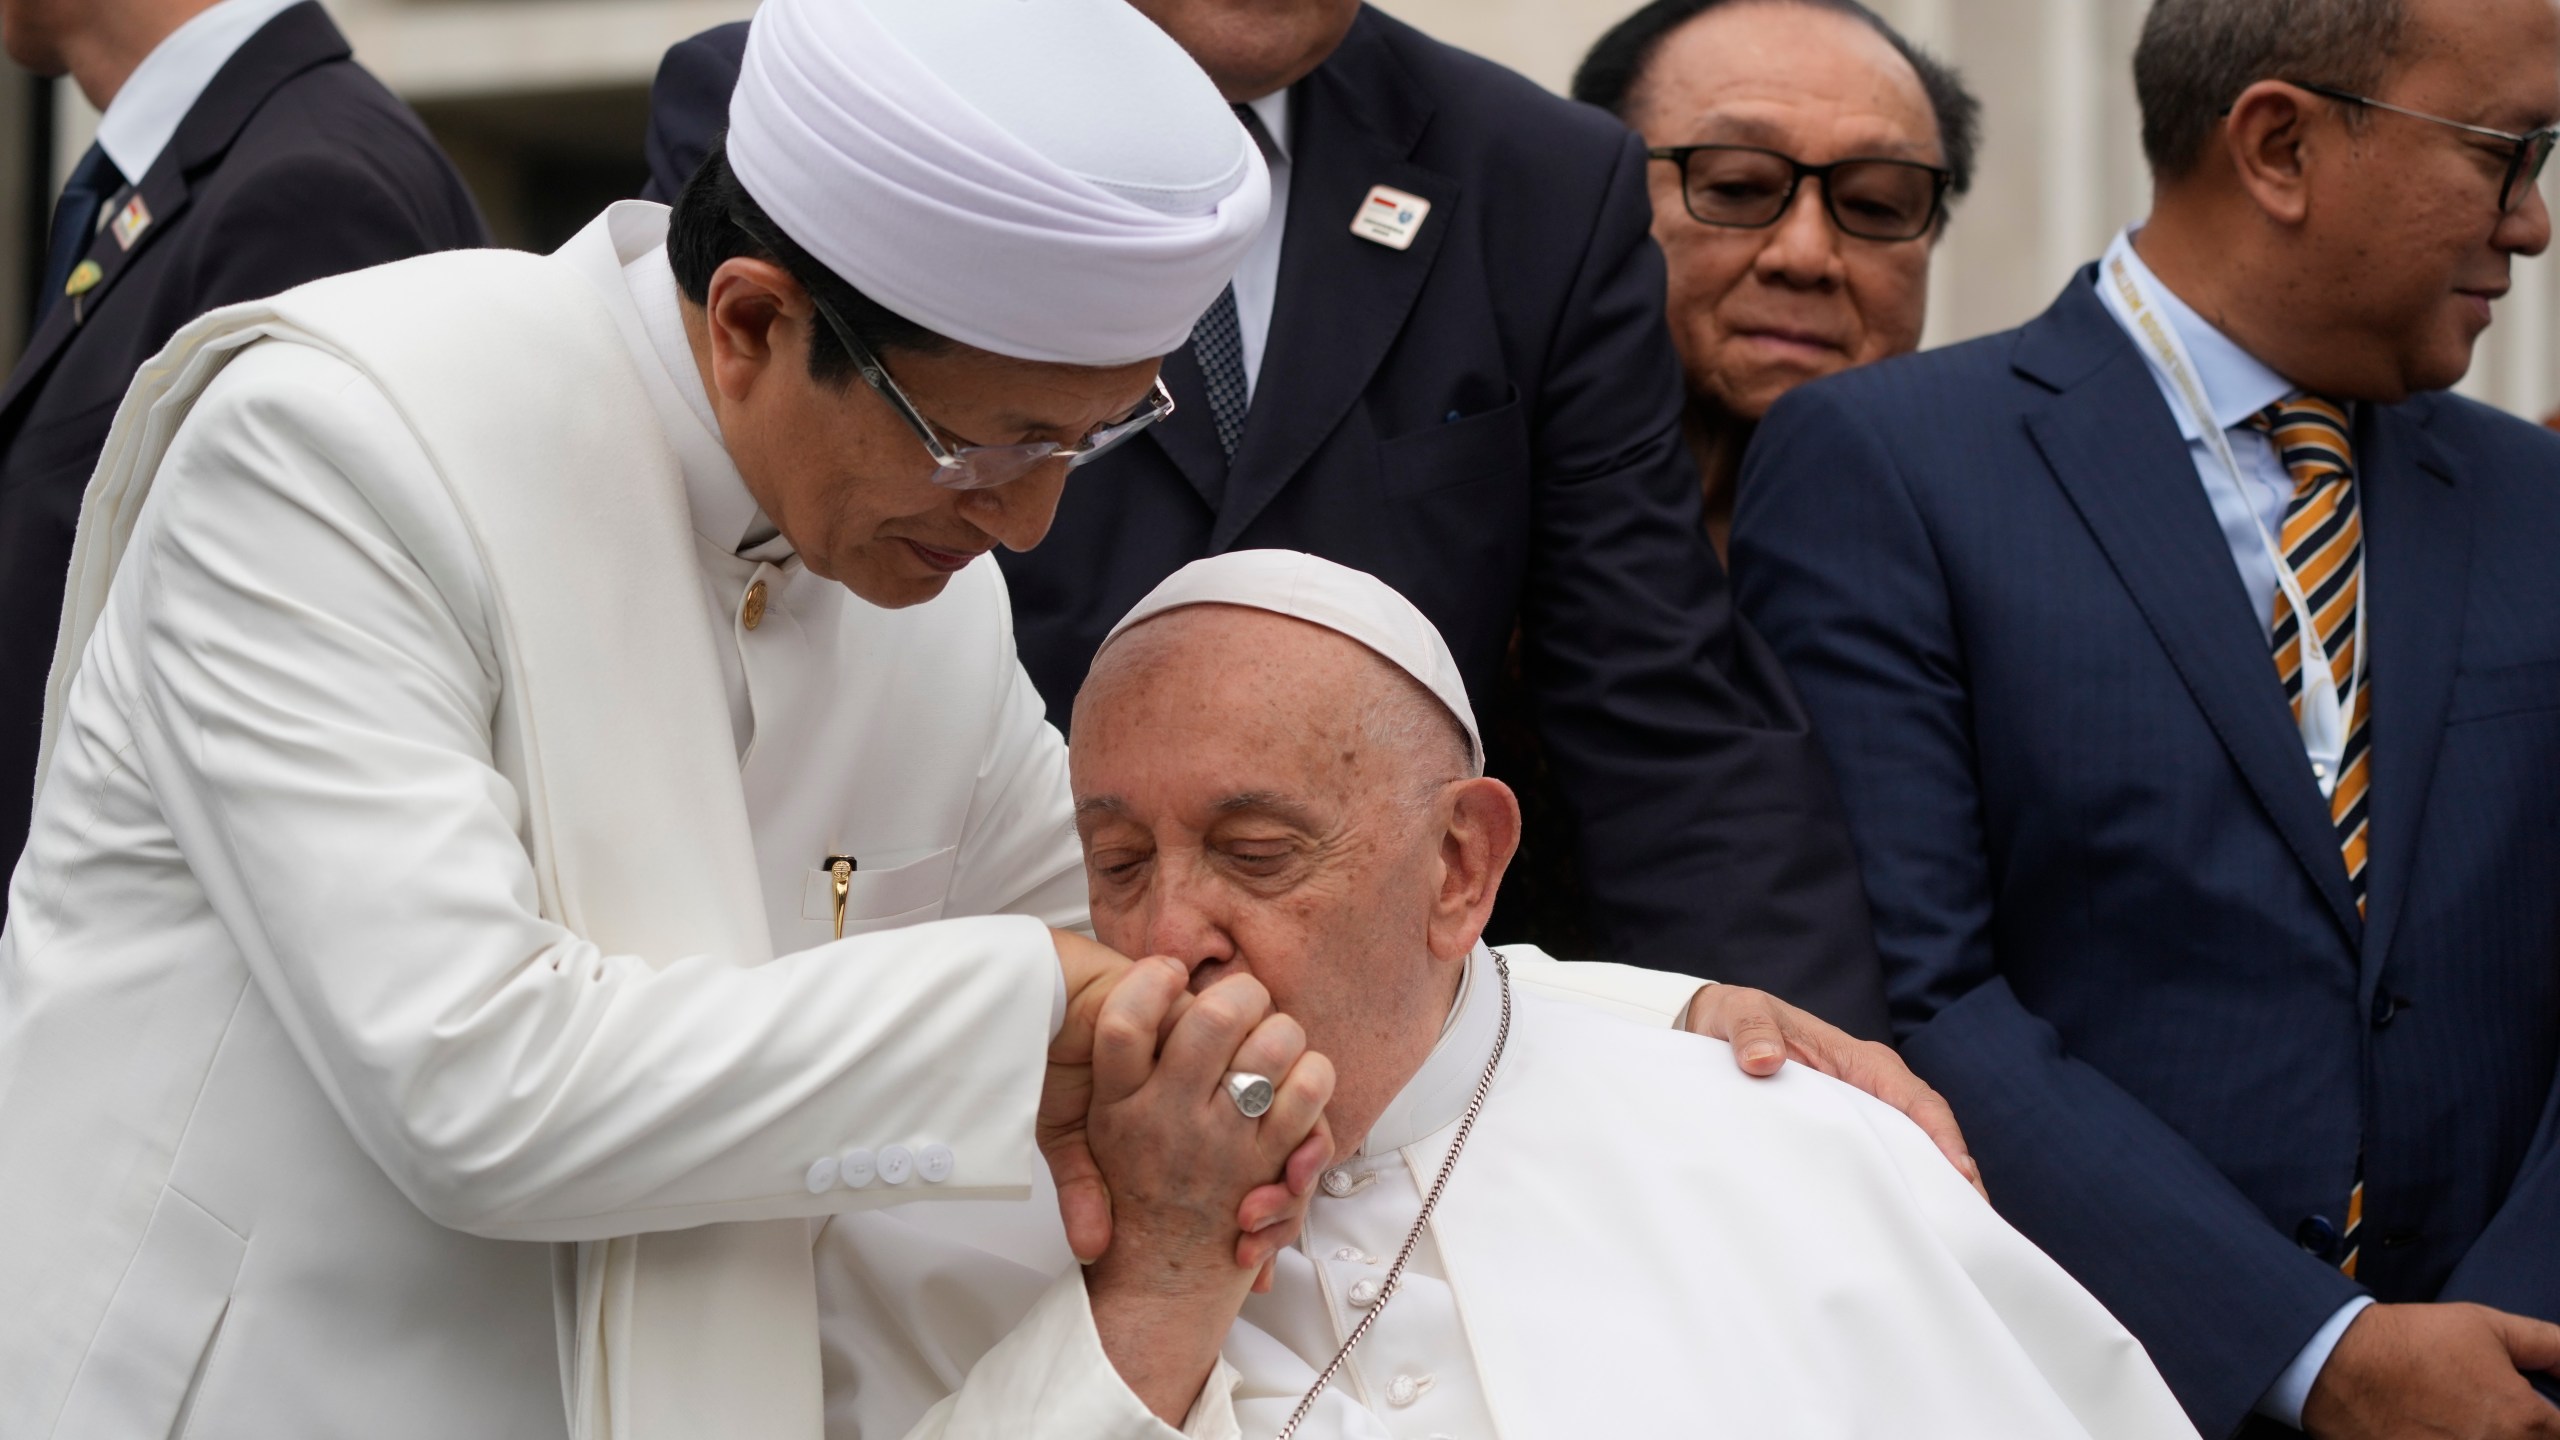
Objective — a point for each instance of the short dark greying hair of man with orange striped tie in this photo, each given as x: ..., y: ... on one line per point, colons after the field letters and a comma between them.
x: 2200, y: 55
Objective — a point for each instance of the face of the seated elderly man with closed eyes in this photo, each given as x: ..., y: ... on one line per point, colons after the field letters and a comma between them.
x: 1240, y: 814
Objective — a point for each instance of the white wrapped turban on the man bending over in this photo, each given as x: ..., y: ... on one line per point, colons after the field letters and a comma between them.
x: 1048, y: 181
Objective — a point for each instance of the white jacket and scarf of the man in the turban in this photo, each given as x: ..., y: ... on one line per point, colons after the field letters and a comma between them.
x: 298, y: 1052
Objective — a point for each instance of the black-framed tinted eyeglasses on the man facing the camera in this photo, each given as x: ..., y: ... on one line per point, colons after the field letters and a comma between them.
x: 1750, y: 188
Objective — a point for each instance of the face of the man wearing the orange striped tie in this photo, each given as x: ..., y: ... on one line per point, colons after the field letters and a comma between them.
x: 2403, y: 242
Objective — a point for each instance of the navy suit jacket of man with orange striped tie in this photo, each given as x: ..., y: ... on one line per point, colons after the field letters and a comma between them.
x: 2113, y: 911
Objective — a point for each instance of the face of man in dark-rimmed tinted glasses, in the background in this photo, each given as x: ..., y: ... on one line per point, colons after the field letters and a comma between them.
x: 1763, y: 311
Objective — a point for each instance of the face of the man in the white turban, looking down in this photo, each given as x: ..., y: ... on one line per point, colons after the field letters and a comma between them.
x: 846, y: 480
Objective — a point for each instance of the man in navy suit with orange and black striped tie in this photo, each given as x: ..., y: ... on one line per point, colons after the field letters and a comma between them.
x: 2193, y: 670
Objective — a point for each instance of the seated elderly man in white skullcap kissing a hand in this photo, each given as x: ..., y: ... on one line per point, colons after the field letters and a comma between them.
x: 1545, y: 1221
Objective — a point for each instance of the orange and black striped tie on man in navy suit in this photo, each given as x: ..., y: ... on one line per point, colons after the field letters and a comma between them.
x: 2326, y: 550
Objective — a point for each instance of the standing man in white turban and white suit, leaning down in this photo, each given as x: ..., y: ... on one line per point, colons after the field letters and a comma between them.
x: 539, y: 803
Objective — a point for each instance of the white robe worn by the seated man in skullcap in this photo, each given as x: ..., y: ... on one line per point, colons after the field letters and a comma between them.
x: 1637, y: 1241
